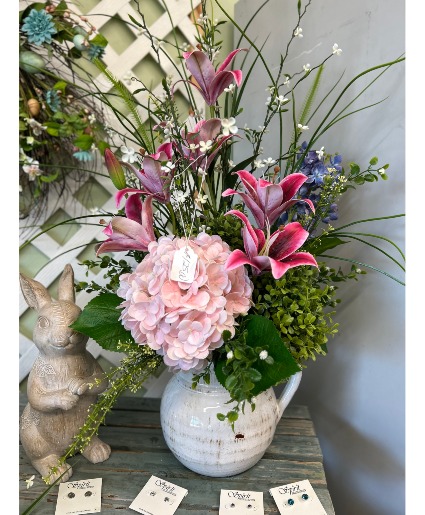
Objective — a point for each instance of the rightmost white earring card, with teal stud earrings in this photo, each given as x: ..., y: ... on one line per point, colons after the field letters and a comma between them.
x: 297, y: 499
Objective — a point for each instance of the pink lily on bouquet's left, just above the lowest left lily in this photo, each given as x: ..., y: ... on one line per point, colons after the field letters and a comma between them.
x: 155, y: 177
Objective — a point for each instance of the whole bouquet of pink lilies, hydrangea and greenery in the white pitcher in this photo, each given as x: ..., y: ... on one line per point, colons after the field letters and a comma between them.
x: 223, y: 266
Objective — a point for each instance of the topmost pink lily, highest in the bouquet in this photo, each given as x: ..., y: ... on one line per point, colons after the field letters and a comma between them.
x: 211, y: 83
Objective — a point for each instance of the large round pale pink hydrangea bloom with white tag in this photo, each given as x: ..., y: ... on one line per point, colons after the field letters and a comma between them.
x: 184, y: 322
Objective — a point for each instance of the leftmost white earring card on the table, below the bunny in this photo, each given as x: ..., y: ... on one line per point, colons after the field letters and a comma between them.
x: 76, y: 497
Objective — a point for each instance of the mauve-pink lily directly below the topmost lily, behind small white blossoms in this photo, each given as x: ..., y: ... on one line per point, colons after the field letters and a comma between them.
x: 204, y: 131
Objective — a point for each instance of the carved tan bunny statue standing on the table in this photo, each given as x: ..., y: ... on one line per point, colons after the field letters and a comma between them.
x: 58, y: 384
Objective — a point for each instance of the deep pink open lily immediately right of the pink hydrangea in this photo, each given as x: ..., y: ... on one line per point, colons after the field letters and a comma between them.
x: 276, y: 253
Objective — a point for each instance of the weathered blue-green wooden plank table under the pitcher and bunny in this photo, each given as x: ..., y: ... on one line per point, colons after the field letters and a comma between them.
x: 139, y: 451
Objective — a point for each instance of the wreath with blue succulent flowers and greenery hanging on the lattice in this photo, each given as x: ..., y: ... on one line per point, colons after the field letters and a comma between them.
x: 61, y: 128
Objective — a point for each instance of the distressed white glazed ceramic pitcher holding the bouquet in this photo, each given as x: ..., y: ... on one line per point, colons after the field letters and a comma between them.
x: 204, y: 444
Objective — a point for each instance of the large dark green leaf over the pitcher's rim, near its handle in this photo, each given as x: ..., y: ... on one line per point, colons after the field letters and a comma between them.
x: 262, y: 330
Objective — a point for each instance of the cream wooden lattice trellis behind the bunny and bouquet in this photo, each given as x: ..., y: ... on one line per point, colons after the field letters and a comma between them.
x: 70, y: 247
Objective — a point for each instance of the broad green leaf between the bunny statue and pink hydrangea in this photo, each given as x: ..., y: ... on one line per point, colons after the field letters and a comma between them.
x: 100, y: 320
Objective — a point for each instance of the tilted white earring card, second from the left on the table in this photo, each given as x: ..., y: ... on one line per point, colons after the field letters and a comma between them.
x: 158, y: 497
